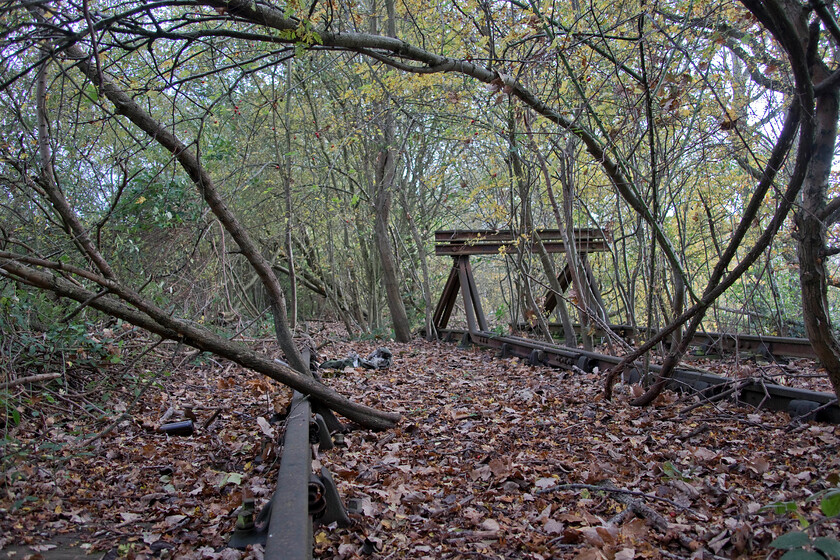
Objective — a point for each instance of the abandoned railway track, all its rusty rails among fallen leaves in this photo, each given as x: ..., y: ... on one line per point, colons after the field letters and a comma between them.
x: 301, y: 497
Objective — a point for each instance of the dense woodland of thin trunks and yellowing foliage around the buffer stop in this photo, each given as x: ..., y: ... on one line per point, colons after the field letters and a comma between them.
x: 173, y: 161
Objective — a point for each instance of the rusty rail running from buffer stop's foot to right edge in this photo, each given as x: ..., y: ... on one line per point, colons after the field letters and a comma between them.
x: 798, y: 402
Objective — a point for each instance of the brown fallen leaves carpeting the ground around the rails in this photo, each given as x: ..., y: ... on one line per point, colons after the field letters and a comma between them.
x: 493, y: 459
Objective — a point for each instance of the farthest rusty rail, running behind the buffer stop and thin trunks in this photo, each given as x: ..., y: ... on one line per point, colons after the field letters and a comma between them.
x: 712, y: 342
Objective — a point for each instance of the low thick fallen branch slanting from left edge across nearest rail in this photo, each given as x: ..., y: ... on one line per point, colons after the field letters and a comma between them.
x: 138, y: 311
